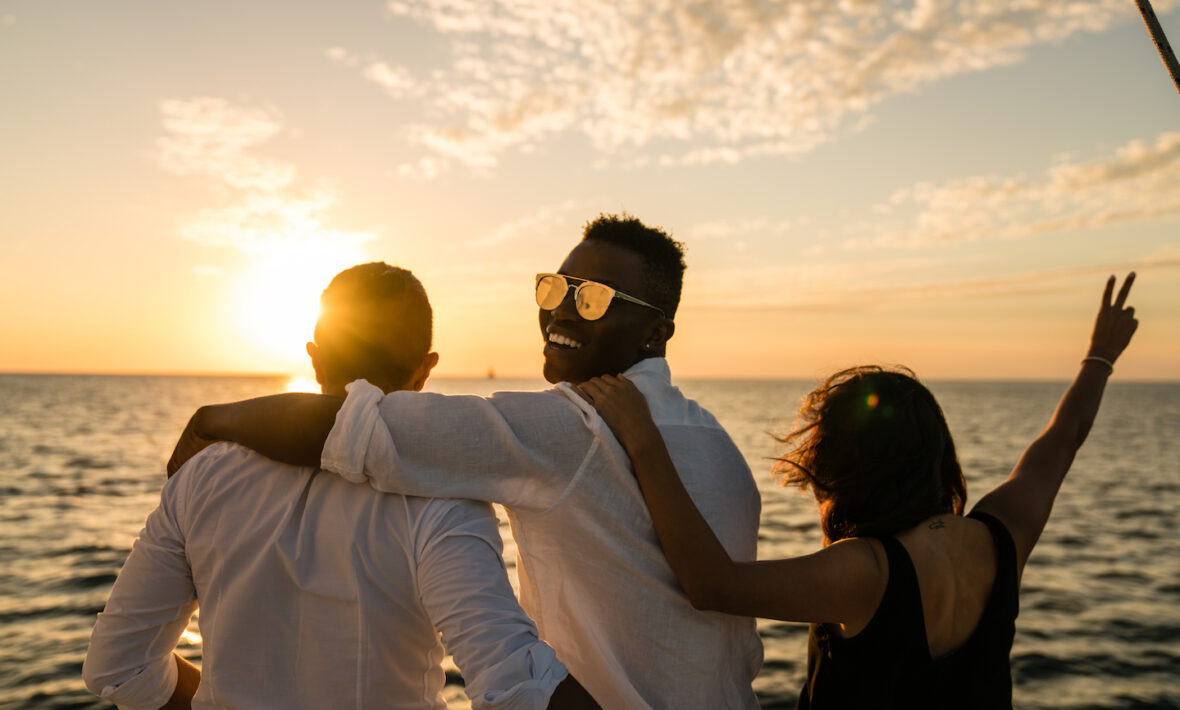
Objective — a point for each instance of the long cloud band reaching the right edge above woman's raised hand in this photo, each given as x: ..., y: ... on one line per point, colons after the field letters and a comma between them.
x: 1139, y: 181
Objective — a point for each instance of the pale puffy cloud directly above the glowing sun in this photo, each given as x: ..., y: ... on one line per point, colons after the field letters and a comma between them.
x: 267, y: 213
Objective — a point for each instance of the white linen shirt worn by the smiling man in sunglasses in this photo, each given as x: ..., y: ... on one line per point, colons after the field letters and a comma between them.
x: 593, y: 574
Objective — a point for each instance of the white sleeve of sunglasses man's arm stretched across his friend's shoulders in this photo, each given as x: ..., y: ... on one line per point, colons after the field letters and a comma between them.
x: 519, y: 449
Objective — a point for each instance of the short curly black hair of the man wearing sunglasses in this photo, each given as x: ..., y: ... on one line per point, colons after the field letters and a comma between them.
x: 664, y: 258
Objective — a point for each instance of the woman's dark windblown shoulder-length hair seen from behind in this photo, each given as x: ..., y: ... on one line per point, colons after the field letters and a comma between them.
x: 874, y: 448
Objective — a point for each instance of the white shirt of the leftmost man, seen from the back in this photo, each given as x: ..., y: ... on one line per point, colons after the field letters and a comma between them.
x: 314, y: 594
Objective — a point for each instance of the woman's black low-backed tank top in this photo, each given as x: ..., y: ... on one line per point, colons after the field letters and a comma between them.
x: 889, y: 665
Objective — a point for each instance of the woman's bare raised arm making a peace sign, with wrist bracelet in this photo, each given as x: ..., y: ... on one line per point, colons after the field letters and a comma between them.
x: 1025, y: 501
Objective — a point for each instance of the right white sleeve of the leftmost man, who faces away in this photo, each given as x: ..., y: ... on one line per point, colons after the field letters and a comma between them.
x: 466, y: 590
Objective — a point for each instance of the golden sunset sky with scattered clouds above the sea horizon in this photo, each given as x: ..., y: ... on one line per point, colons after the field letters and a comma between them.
x: 945, y: 186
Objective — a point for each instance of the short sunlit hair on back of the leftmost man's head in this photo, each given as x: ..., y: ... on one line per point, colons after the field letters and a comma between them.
x: 375, y: 321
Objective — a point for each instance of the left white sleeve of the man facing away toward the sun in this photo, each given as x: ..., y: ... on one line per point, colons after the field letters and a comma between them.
x: 130, y: 658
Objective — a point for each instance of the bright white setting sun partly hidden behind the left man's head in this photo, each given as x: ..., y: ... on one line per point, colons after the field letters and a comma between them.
x: 279, y: 299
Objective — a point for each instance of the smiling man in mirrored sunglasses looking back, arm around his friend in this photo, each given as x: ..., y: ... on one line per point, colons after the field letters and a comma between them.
x: 593, y: 575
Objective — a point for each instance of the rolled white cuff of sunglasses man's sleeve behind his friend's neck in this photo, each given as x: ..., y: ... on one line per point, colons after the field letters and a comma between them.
x: 358, y: 428
